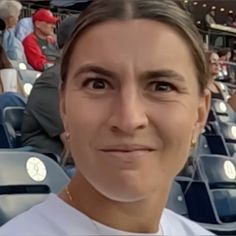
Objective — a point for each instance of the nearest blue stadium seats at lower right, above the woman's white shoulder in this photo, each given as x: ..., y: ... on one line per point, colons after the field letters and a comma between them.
x: 209, y: 195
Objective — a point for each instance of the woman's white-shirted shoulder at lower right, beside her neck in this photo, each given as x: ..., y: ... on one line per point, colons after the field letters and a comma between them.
x: 174, y: 224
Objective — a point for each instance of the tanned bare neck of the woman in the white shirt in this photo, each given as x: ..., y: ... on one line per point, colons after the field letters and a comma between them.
x: 138, y: 217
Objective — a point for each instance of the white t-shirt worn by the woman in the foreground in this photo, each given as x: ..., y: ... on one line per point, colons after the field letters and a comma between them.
x: 54, y: 217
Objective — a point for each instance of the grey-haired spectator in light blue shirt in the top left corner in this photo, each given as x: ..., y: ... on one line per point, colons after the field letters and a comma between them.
x: 9, y: 13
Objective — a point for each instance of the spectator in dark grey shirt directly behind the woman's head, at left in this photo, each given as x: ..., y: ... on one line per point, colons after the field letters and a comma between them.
x: 42, y: 126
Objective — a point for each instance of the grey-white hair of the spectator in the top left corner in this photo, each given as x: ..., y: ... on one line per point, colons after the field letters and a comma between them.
x: 9, y: 8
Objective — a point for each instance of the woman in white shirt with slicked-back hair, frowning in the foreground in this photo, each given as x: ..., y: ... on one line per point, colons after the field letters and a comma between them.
x: 132, y: 111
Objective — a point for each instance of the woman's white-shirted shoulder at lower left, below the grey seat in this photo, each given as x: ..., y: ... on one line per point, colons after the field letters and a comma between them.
x: 51, y: 217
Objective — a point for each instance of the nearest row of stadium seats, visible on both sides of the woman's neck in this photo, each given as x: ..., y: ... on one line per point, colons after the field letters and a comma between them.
x: 208, y: 197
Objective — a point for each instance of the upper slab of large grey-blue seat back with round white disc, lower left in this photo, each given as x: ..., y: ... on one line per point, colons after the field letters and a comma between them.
x: 31, y: 168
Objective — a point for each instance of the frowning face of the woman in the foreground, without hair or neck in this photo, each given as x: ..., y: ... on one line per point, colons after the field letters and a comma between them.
x: 131, y: 107
